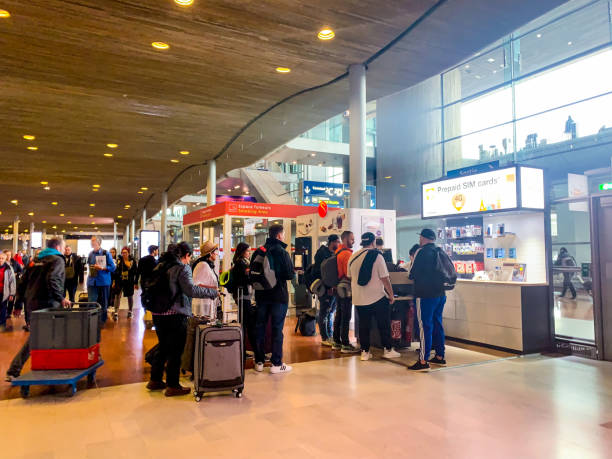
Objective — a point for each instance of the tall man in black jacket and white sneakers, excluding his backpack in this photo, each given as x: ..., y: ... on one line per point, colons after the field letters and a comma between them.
x: 274, y: 302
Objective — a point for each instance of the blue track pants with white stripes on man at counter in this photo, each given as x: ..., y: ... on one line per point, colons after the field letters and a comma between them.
x: 429, y: 315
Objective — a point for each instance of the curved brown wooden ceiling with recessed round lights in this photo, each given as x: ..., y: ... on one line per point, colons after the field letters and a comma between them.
x: 79, y: 75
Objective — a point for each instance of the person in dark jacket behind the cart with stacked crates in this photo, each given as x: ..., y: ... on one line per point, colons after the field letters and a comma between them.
x: 43, y: 287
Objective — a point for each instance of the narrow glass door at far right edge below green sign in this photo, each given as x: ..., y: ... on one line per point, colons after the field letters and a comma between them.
x: 601, y: 227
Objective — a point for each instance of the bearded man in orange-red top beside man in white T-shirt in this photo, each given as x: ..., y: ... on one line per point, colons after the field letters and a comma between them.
x: 344, y: 308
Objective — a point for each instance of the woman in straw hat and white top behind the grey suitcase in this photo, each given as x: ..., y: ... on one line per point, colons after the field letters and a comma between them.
x: 205, y: 275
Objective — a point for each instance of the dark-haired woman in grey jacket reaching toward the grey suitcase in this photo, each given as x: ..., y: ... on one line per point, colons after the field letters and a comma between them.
x: 171, y: 326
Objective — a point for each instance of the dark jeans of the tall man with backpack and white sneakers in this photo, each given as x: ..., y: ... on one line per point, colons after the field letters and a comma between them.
x: 277, y: 312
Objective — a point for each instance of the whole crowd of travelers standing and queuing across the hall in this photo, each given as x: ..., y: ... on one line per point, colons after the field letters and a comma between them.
x: 258, y: 283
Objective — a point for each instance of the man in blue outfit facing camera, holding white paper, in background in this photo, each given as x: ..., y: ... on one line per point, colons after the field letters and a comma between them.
x: 101, y: 265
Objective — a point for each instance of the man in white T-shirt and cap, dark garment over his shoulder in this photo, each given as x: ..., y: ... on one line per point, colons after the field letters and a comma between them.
x: 374, y: 298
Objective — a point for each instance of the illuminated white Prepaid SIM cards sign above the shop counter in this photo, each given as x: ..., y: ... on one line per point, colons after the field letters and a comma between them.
x: 503, y: 189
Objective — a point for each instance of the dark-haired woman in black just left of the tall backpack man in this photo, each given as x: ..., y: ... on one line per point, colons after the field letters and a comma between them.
x: 240, y: 282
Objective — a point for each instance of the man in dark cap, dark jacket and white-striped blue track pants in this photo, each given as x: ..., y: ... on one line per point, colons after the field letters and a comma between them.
x: 430, y: 300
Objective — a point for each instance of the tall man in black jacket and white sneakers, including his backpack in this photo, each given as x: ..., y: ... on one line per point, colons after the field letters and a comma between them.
x: 270, y: 269
